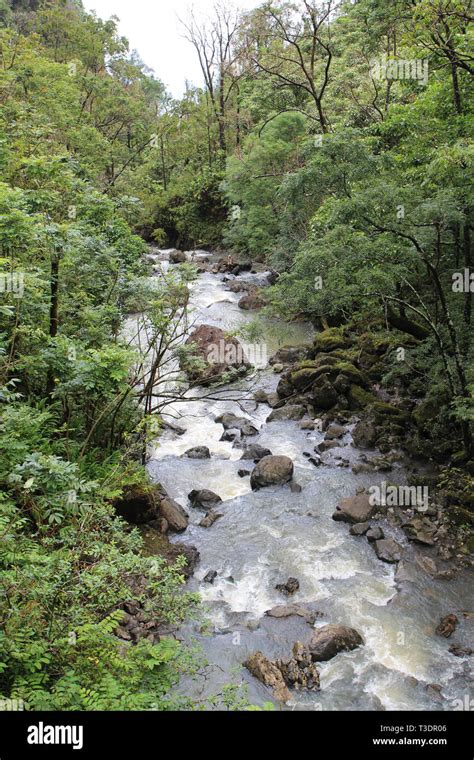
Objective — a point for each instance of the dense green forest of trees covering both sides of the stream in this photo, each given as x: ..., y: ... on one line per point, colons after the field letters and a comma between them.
x: 331, y: 141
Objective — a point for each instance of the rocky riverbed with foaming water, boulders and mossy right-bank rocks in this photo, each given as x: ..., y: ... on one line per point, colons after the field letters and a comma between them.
x: 316, y: 597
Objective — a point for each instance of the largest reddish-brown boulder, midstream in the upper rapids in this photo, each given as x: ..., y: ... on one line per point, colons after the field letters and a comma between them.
x: 212, y: 355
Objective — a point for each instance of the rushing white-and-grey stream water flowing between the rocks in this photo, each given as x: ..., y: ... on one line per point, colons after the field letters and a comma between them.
x: 267, y: 536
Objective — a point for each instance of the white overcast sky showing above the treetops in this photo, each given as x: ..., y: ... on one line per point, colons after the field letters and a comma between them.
x: 152, y: 28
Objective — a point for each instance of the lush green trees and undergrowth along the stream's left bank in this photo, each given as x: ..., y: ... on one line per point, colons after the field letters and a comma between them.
x: 69, y: 136
